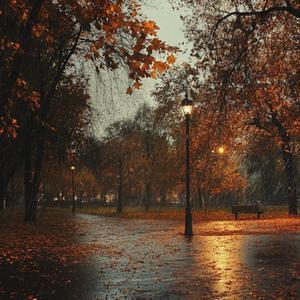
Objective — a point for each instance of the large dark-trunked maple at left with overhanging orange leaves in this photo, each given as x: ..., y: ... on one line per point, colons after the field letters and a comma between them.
x: 40, y: 40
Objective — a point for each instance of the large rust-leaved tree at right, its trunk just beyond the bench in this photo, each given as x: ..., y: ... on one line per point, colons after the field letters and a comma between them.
x: 246, y: 53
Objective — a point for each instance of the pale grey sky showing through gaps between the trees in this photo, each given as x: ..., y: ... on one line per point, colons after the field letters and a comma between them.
x: 110, y: 97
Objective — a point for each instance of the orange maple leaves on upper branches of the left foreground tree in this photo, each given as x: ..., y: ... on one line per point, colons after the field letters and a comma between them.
x: 110, y: 34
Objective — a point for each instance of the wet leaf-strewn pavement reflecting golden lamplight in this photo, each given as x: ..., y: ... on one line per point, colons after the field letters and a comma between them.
x: 153, y: 260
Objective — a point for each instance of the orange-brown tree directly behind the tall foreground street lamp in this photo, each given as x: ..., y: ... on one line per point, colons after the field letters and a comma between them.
x: 213, y: 175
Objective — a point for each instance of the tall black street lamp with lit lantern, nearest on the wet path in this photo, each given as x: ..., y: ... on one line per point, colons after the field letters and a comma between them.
x: 187, y: 107
